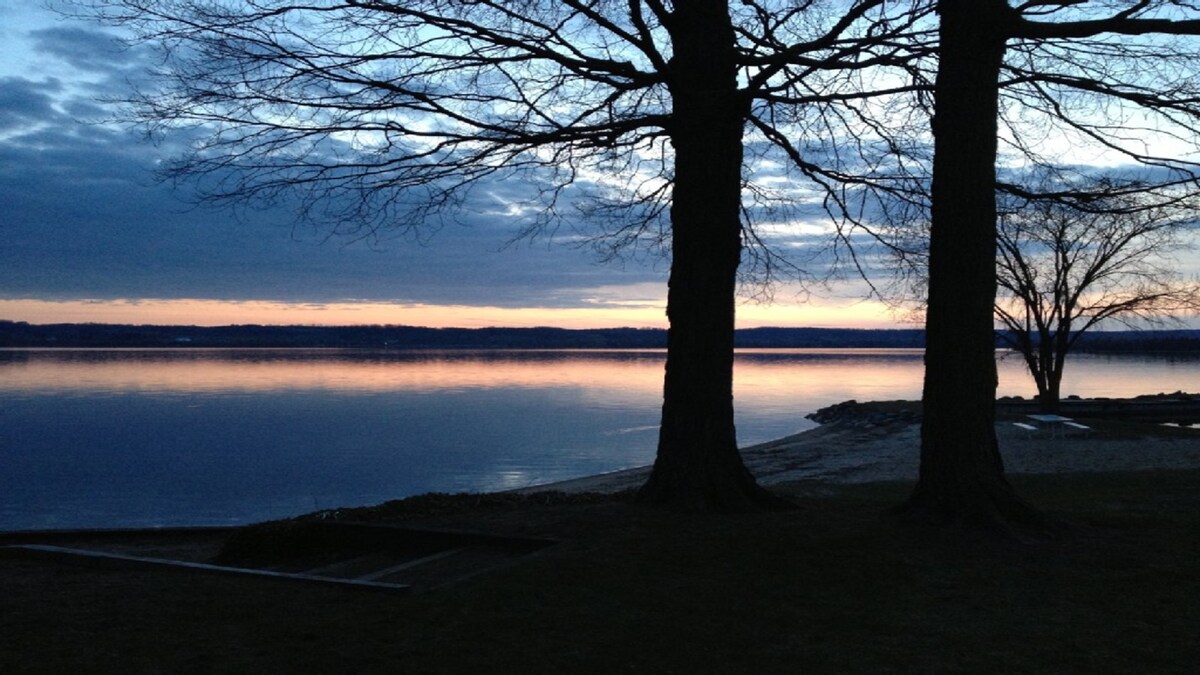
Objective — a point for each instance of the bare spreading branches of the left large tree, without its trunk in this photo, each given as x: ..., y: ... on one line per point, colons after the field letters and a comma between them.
x: 345, y: 105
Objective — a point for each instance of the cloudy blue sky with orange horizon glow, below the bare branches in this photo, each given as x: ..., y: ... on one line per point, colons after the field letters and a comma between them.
x: 89, y: 235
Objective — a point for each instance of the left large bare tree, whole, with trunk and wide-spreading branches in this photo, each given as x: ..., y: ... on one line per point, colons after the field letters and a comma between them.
x: 388, y: 114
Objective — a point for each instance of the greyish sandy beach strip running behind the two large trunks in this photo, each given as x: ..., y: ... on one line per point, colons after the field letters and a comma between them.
x: 855, y: 453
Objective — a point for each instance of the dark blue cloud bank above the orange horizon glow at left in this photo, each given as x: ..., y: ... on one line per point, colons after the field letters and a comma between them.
x: 87, y: 219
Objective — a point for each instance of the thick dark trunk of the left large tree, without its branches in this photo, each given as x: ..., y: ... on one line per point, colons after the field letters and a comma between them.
x: 699, y: 467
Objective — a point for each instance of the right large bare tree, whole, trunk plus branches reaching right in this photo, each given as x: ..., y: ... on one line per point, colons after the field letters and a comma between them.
x: 1083, y: 70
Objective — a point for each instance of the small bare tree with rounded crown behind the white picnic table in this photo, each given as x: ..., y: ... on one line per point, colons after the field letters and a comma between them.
x: 1065, y: 268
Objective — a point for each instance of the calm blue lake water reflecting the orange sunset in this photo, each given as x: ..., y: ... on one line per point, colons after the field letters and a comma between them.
x: 107, y: 439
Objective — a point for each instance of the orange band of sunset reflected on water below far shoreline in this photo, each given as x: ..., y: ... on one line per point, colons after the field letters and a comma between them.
x: 267, y: 371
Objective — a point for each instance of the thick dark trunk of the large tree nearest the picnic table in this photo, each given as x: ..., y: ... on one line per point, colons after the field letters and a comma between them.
x: 962, y: 479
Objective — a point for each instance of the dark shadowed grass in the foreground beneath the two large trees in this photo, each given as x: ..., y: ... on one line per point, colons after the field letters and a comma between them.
x: 836, y: 587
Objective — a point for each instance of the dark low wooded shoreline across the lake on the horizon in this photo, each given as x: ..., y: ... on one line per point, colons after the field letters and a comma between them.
x: 101, y: 336
